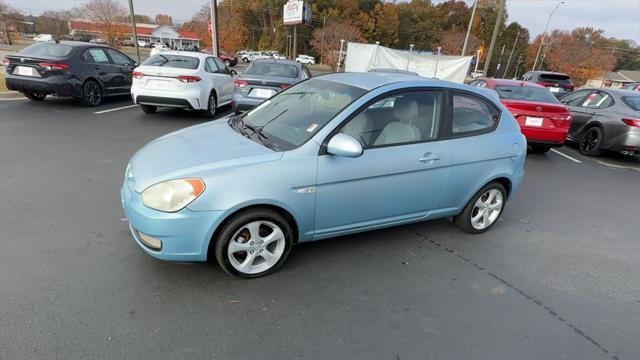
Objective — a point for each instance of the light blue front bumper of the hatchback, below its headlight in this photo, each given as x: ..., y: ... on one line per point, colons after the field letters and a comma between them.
x: 185, y: 235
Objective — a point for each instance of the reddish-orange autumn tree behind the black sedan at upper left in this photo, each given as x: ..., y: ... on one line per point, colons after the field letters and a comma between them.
x: 108, y: 16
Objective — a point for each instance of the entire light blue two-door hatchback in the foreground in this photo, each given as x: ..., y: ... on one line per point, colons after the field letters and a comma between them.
x: 333, y: 155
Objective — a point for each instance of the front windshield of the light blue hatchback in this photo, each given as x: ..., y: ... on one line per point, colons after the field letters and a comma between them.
x: 292, y: 117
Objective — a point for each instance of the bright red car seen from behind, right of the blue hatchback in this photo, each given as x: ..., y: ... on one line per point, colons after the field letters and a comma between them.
x: 543, y: 120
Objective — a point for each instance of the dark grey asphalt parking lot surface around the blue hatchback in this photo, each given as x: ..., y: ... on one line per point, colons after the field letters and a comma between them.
x: 557, y: 278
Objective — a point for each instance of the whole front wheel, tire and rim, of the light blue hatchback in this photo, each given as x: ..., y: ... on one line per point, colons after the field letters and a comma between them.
x: 253, y: 243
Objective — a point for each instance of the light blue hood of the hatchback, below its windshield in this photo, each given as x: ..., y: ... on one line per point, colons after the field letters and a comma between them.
x: 187, y: 152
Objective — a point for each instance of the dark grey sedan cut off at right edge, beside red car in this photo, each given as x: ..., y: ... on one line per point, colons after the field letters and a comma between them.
x: 605, y: 119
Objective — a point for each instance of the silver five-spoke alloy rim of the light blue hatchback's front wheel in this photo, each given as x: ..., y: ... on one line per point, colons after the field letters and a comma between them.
x: 256, y: 247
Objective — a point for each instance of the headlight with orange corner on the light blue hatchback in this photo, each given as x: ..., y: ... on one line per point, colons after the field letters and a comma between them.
x: 172, y: 195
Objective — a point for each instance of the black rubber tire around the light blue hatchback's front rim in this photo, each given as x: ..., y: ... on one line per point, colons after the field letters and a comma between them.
x: 231, y: 227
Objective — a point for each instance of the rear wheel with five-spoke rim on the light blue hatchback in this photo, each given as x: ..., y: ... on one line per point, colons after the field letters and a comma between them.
x: 483, y: 210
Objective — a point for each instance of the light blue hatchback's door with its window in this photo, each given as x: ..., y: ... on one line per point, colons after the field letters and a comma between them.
x: 399, y: 176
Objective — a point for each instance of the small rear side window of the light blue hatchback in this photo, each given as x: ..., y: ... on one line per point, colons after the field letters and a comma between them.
x: 472, y: 115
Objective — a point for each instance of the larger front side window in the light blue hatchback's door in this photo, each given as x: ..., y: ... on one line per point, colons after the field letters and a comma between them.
x: 400, y: 118
